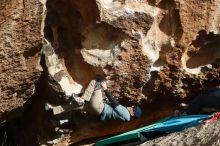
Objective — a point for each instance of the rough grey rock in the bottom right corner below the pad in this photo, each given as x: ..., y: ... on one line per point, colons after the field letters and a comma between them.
x: 207, y: 134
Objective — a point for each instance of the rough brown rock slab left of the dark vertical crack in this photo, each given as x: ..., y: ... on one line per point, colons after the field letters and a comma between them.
x: 20, y: 44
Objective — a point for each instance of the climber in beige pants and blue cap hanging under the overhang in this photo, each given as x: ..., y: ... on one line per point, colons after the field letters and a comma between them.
x: 93, y: 103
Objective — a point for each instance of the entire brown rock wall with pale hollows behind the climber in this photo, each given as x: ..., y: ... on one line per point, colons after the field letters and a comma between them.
x: 157, y: 52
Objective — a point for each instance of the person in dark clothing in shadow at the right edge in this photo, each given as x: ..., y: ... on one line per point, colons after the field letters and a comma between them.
x: 209, y: 100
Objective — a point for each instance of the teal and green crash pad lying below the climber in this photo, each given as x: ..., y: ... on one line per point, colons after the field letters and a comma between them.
x: 166, y: 125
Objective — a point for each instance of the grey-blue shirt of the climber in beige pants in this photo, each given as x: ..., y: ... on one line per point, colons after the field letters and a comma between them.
x: 118, y: 113
